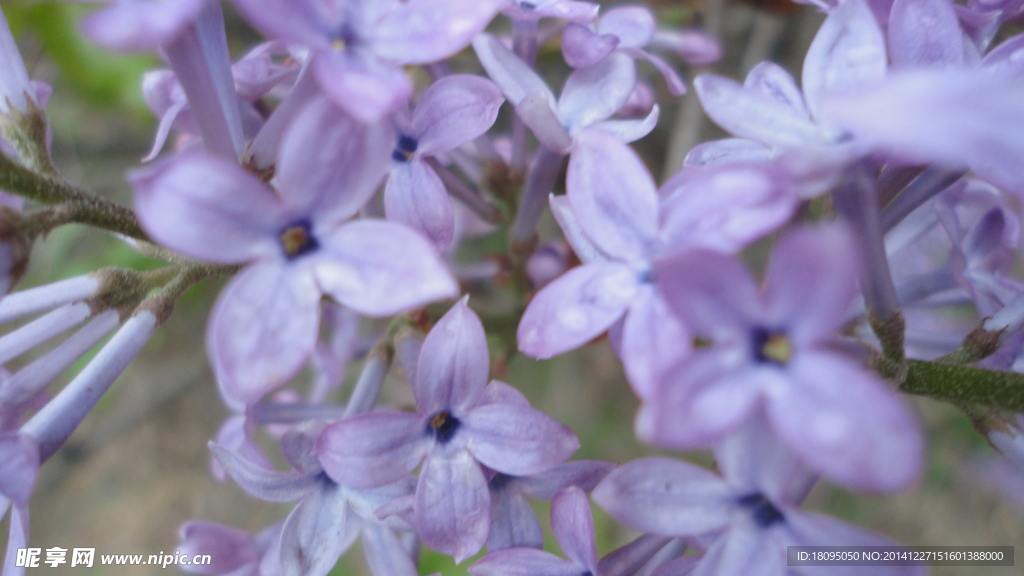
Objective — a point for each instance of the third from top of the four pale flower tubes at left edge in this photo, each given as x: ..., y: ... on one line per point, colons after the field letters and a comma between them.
x: 30, y: 381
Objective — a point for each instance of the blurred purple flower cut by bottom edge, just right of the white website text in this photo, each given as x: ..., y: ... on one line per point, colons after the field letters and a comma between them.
x: 233, y: 552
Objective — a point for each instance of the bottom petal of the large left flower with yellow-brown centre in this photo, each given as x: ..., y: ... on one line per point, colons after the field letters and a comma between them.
x: 263, y: 330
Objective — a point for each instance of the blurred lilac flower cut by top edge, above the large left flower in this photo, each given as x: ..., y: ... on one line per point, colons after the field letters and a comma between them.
x: 358, y: 48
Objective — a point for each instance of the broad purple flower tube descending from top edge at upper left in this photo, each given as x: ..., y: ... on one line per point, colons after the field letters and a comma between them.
x: 200, y: 59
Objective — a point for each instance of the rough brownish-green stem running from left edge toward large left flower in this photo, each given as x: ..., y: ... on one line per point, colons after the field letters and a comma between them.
x: 89, y: 209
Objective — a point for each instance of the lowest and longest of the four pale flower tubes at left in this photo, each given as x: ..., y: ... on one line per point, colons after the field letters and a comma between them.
x: 55, y: 424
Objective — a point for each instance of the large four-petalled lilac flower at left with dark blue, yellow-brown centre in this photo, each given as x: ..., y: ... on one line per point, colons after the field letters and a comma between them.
x: 298, y: 244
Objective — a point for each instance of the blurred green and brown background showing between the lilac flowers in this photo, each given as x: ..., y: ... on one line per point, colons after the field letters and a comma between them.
x: 140, y: 465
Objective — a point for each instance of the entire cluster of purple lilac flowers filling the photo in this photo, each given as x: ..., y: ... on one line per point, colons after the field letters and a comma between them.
x: 340, y: 173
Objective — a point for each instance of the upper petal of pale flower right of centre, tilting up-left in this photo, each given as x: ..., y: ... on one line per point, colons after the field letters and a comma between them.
x: 613, y: 195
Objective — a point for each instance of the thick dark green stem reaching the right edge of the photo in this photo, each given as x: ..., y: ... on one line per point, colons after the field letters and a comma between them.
x: 965, y: 385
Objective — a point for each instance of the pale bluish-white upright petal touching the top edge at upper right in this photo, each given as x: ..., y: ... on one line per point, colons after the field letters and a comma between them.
x: 849, y: 52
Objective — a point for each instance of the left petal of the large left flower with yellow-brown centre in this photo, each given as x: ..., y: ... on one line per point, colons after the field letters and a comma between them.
x: 232, y: 218
